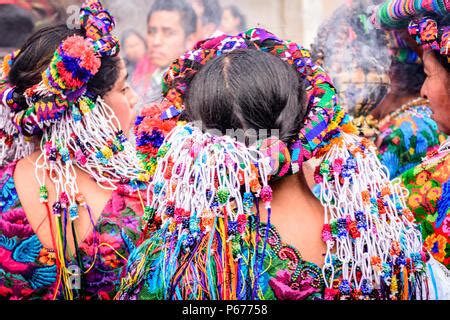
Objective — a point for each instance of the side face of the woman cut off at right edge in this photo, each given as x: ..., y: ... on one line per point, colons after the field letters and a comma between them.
x: 437, y: 90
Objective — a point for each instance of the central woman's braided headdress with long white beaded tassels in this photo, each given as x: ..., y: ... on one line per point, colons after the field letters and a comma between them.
x: 206, y: 193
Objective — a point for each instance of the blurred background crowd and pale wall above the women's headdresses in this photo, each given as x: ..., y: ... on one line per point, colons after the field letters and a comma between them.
x: 148, y: 51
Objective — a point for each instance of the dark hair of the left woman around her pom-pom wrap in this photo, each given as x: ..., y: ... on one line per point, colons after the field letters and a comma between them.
x: 37, y: 53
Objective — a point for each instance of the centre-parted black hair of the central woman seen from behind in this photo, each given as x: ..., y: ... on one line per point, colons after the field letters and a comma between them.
x: 248, y: 89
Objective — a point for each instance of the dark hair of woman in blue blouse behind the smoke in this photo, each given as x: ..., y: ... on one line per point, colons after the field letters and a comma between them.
x: 409, y: 78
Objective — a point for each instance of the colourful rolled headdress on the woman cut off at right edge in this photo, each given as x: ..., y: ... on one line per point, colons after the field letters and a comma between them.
x: 397, y: 14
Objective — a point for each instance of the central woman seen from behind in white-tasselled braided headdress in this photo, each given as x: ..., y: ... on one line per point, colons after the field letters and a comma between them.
x: 225, y: 208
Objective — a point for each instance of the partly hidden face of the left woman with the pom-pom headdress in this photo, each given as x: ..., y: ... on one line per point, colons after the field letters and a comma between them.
x: 122, y: 99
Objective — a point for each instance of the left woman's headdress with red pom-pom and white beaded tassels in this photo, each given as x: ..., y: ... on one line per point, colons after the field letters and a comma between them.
x: 75, y: 127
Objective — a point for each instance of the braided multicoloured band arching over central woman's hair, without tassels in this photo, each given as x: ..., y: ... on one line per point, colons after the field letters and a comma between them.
x: 325, y: 119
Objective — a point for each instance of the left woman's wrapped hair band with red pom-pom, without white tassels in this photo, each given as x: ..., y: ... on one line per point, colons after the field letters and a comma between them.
x: 76, y: 61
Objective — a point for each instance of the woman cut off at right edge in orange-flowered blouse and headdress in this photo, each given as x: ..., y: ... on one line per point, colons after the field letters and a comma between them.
x: 428, y: 23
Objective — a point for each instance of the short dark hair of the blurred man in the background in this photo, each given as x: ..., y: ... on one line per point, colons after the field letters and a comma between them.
x: 188, y: 16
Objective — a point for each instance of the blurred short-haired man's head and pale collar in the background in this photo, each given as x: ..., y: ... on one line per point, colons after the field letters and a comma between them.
x: 171, y: 31
